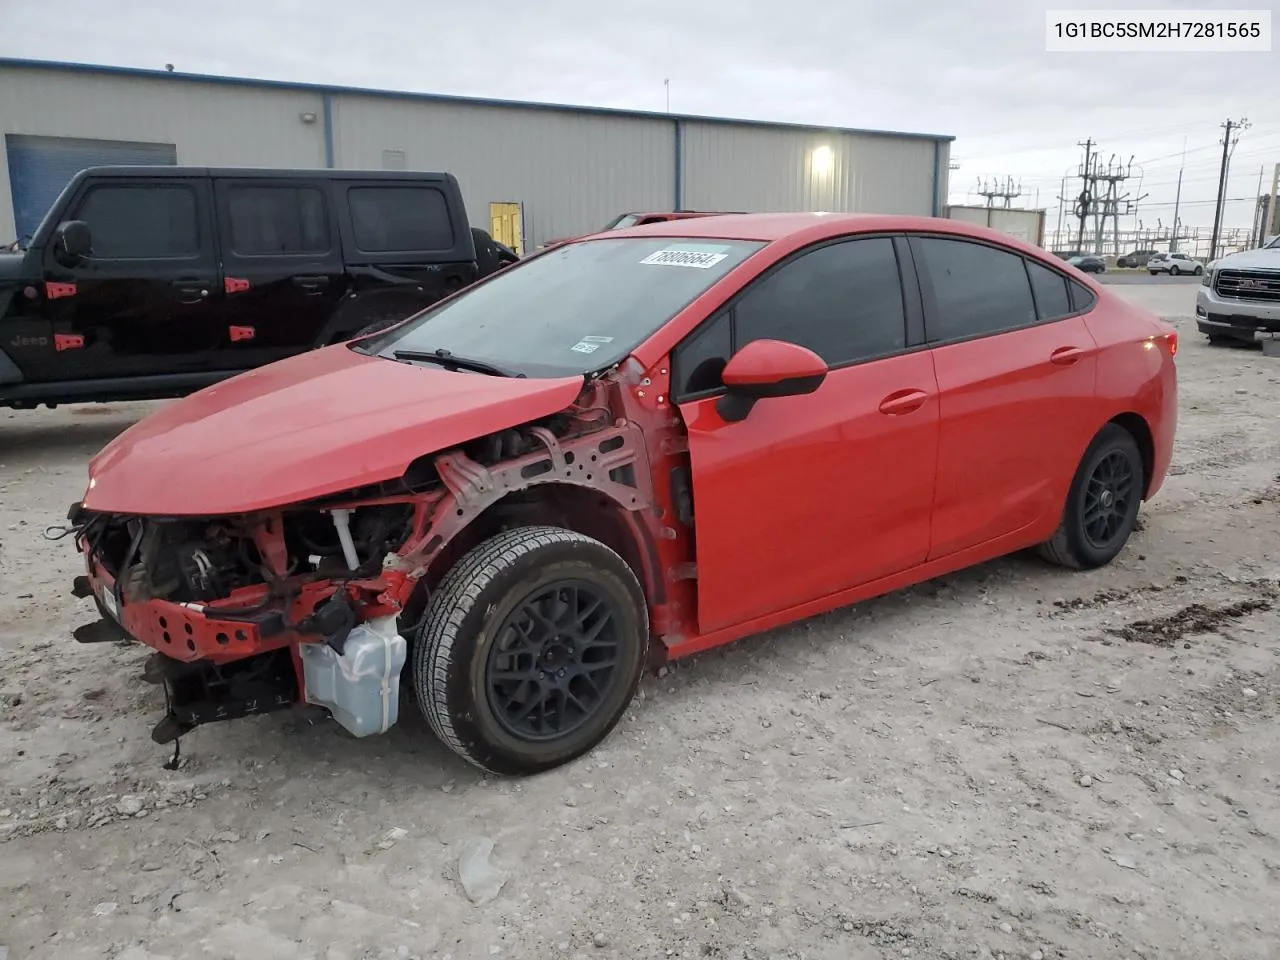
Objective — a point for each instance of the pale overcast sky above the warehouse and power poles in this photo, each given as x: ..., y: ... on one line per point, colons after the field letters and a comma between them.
x: 972, y: 68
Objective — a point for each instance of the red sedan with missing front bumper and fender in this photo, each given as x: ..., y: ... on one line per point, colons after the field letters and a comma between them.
x: 623, y: 451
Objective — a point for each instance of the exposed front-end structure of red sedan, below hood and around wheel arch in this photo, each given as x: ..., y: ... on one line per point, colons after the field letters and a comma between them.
x: 313, y: 602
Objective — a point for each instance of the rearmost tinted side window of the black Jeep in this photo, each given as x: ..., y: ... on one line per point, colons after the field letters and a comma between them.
x: 400, y: 220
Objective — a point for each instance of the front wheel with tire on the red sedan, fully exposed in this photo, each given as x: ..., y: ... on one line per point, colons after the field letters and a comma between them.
x: 472, y: 620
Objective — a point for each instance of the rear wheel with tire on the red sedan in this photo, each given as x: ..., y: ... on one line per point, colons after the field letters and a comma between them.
x: 1077, y: 545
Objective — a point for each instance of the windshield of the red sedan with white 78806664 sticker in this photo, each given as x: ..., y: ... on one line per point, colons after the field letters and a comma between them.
x: 573, y: 310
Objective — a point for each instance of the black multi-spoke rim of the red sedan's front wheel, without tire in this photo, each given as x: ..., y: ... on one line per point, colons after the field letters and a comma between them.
x: 554, y: 660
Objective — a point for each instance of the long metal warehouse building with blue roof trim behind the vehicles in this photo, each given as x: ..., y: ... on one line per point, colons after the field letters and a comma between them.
x: 546, y: 171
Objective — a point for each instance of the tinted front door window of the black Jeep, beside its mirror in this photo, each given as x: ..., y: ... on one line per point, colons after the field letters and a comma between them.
x: 141, y: 222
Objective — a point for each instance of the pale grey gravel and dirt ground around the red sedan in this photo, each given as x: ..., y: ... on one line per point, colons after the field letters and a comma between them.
x: 1011, y: 762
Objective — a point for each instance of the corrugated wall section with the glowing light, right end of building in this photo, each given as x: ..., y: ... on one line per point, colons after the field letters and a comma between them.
x: 756, y: 168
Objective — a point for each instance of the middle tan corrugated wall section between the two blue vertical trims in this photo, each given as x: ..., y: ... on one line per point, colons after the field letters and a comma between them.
x: 572, y: 172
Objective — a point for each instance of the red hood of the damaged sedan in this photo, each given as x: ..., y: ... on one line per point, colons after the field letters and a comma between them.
x: 313, y: 426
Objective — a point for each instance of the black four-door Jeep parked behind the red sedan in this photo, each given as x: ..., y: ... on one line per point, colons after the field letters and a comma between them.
x: 153, y: 282
